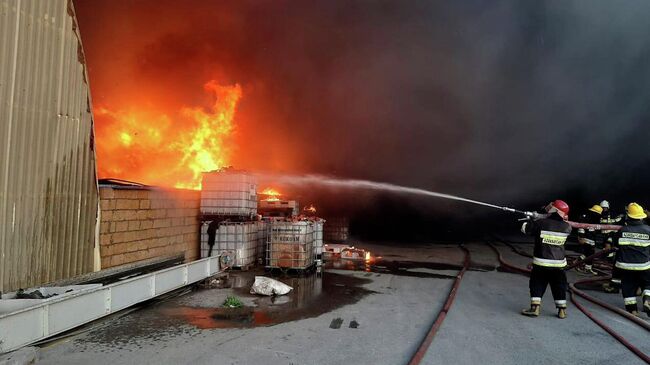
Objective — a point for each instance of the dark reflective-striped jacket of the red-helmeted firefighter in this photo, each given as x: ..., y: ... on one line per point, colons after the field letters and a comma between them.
x: 550, y: 236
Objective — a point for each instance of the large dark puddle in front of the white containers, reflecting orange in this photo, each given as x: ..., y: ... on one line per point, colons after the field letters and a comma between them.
x: 158, y: 322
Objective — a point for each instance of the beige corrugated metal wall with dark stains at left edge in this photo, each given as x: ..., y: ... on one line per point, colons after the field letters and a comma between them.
x: 48, y: 188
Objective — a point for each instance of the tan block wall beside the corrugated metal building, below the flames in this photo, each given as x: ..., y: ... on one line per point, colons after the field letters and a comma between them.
x: 140, y: 224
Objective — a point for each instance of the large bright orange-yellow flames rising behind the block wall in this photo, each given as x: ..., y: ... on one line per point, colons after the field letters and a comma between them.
x: 147, y: 145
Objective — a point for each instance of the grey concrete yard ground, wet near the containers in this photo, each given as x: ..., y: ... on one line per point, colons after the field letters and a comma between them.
x: 357, y: 312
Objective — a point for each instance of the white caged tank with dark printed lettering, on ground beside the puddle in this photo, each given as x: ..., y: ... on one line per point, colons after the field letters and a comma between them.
x: 290, y: 245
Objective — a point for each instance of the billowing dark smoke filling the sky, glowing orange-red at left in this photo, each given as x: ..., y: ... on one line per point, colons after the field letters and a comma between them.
x: 514, y: 102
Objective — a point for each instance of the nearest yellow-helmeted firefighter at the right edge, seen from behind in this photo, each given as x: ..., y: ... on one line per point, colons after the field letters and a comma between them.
x: 633, y: 258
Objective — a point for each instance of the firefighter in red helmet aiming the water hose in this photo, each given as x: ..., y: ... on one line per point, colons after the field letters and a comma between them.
x: 550, y: 234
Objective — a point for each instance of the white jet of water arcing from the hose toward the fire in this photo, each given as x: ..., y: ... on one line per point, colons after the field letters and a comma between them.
x: 328, y: 181
